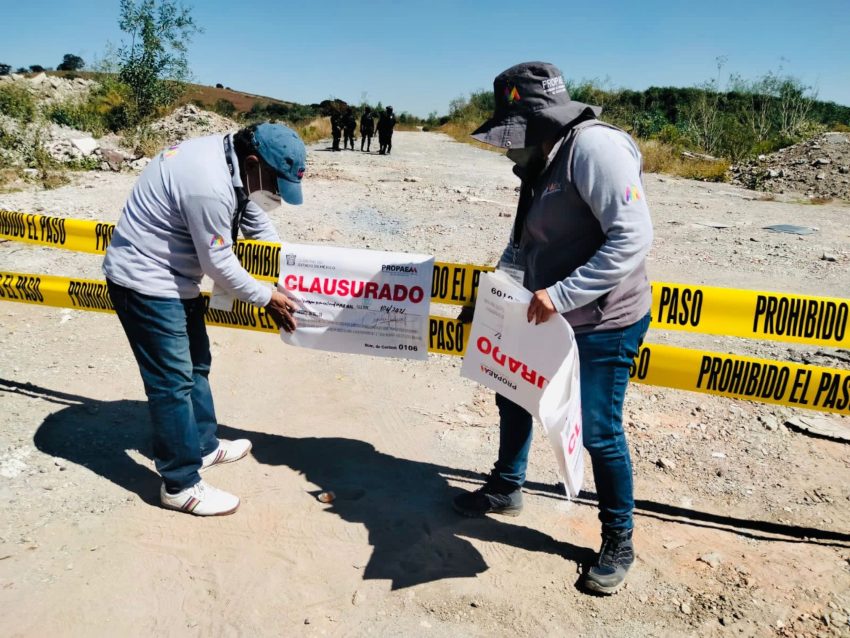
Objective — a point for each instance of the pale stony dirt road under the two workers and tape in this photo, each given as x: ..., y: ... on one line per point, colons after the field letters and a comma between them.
x: 744, y: 529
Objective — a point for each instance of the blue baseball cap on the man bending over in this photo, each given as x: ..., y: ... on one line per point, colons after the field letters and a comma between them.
x: 282, y: 149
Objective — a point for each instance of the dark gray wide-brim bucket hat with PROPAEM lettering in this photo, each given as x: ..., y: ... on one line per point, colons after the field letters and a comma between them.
x: 532, y: 104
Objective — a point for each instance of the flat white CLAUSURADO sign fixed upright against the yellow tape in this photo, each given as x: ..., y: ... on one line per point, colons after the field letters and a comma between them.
x: 358, y: 301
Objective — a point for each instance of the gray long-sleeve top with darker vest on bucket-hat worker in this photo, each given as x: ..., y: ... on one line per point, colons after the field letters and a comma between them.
x: 588, y: 229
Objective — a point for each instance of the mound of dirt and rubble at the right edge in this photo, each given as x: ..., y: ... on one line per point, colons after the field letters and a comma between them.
x: 819, y: 167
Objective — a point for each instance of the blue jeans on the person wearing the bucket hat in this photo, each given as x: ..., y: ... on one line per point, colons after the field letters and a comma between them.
x: 605, y: 358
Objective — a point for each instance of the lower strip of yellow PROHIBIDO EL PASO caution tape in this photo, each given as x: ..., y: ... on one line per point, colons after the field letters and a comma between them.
x: 763, y: 380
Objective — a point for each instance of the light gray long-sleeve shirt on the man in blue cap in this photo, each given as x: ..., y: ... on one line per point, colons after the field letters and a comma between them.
x: 177, y: 226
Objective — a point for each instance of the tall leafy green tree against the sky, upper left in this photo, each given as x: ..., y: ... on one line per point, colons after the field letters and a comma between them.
x: 153, y: 63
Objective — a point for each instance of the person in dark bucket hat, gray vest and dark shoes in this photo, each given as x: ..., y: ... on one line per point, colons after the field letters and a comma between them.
x: 581, y: 237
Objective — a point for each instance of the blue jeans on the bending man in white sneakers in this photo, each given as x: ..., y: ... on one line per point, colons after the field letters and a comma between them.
x: 170, y: 343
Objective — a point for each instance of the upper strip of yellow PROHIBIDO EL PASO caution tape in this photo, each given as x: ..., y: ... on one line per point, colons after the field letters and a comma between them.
x: 821, y: 321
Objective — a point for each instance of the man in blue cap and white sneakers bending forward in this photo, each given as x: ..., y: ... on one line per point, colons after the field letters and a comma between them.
x: 179, y: 223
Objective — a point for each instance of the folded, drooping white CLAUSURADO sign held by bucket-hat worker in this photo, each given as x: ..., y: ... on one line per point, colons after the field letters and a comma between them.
x: 535, y: 366
